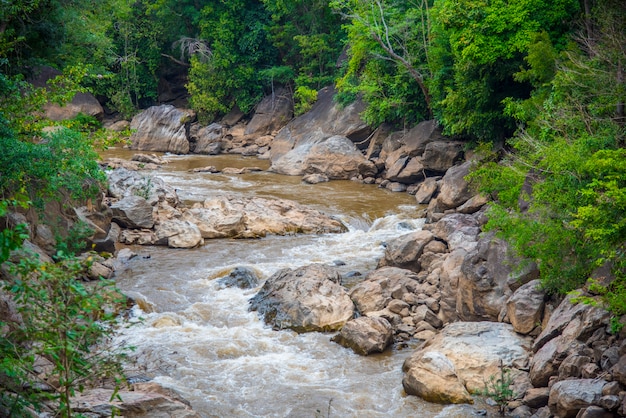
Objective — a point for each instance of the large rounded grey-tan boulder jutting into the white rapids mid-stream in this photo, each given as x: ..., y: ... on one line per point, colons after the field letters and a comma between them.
x: 309, y: 298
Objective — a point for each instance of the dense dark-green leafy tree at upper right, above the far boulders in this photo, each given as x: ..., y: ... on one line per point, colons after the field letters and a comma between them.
x: 480, y: 57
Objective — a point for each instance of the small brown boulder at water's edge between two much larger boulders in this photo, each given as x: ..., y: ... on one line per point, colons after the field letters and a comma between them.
x: 365, y: 335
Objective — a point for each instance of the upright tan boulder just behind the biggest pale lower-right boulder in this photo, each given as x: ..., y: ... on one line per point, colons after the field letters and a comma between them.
x: 525, y: 307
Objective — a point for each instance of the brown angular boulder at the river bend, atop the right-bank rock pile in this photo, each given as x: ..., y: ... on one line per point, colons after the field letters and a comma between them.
x: 406, y: 250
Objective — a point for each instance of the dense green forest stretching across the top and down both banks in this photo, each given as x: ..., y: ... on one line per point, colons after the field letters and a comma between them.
x: 537, y: 87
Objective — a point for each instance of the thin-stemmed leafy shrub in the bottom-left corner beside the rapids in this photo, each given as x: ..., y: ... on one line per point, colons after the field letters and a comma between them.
x: 64, y: 321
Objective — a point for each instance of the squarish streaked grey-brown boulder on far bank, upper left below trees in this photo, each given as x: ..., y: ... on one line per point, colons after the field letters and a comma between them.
x: 161, y: 128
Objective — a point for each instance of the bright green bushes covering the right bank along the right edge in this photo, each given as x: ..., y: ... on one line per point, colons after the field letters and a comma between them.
x: 560, y: 195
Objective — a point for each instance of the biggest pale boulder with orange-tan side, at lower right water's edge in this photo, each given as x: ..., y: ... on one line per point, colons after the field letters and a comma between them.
x: 461, y: 358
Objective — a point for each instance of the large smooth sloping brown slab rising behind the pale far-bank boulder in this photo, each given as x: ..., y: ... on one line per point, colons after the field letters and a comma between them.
x: 327, y: 118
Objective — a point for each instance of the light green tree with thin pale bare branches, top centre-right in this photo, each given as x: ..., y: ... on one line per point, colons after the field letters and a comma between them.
x: 389, y: 56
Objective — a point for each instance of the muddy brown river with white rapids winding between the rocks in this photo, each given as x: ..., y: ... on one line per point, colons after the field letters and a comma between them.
x: 201, y: 340
